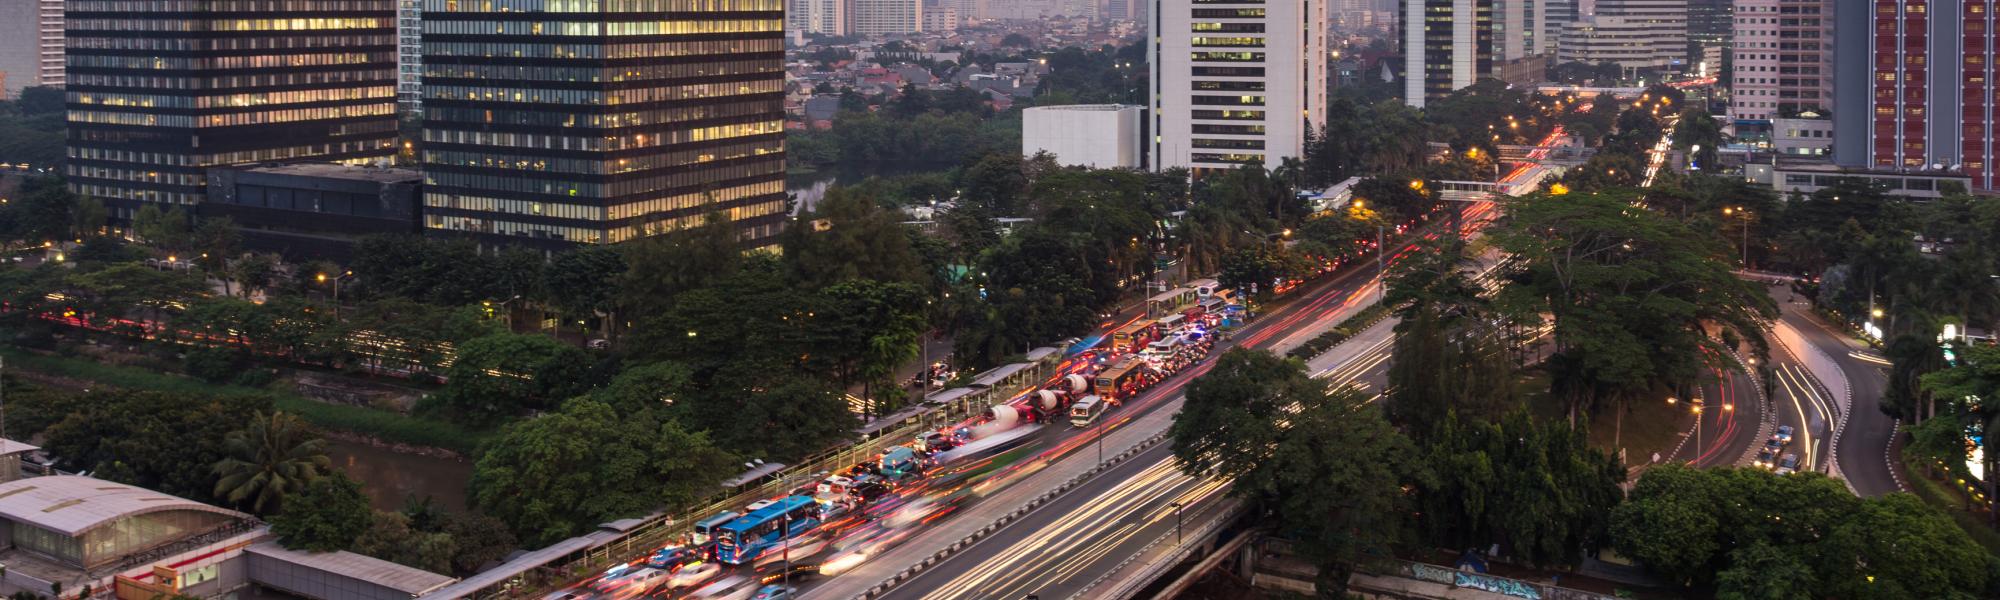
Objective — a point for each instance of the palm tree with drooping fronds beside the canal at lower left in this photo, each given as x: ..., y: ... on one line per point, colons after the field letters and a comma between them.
x: 273, y: 457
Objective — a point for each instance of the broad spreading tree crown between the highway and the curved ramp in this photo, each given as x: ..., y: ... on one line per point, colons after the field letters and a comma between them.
x: 1631, y: 295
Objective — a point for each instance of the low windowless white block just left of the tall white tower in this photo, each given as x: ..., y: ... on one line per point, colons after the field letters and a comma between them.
x: 1085, y: 135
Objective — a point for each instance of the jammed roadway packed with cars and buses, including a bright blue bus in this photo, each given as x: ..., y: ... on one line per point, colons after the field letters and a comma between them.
x: 845, y: 519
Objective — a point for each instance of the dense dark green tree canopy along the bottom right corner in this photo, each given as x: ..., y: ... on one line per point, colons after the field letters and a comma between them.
x: 1747, y: 533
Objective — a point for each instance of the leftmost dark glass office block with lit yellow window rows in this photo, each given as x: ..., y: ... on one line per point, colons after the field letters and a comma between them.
x: 165, y: 89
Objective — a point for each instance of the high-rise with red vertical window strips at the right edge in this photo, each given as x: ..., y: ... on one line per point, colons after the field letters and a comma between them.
x: 1915, y: 87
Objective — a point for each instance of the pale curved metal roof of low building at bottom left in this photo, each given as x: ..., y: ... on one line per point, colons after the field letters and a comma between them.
x: 75, y: 505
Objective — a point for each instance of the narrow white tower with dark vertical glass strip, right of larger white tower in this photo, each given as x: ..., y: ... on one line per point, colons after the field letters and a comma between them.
x: 1447, y: 45
